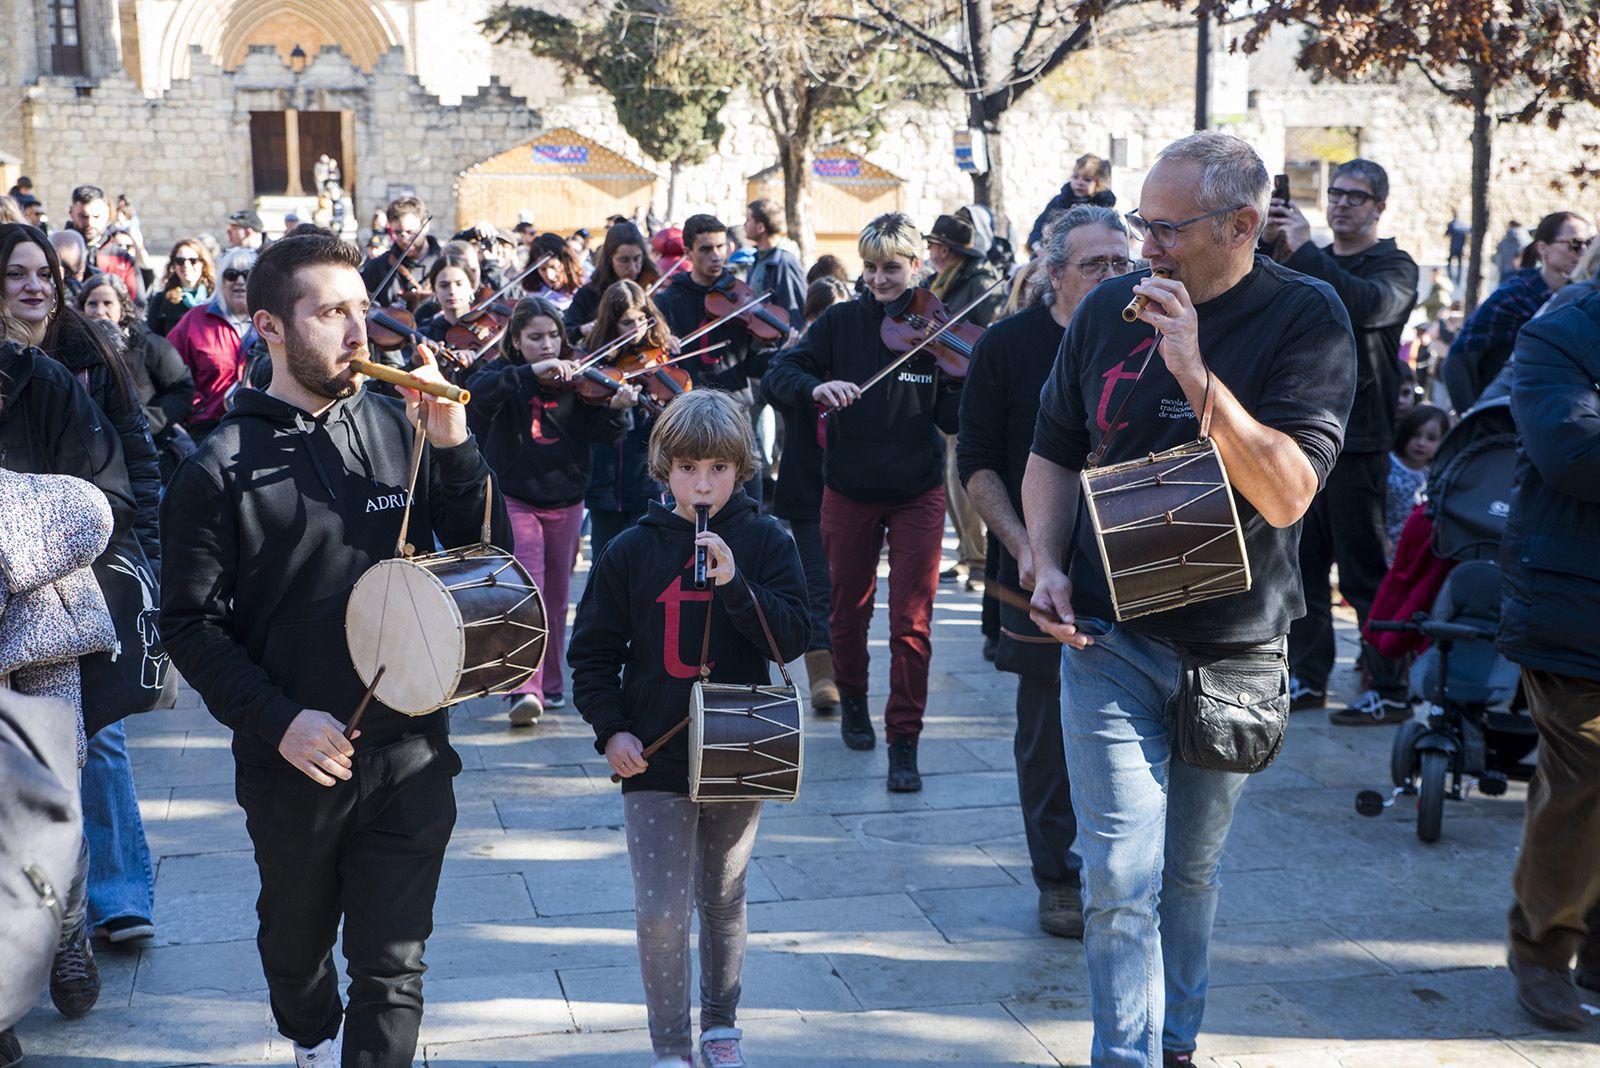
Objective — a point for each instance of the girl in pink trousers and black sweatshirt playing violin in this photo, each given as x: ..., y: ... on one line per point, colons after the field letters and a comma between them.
x: 540, y: 439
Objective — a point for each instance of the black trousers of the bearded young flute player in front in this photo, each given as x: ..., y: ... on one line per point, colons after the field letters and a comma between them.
x: 367, y: 851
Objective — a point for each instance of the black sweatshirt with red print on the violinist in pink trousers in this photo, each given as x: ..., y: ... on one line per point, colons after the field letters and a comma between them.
x: 535, y: 440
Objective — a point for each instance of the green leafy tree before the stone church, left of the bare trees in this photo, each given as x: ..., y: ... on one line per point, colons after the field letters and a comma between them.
x: 668, y: 90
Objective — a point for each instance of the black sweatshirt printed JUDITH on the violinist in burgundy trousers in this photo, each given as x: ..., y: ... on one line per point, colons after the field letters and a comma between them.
x: 886, y: 447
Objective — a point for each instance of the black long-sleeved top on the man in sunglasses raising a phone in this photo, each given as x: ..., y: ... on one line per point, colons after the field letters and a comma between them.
x: 1378, y: 289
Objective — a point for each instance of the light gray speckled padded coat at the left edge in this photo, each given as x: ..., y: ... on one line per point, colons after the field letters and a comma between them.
x: 52, y: 610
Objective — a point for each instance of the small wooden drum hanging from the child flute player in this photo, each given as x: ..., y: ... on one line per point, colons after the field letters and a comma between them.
x: 745, y: 743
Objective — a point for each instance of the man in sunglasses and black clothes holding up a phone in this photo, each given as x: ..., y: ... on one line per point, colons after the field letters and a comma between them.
x: 1377, y: 282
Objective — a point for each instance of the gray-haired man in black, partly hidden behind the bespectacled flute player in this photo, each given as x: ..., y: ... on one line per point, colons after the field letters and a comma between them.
x: 1084, y: 247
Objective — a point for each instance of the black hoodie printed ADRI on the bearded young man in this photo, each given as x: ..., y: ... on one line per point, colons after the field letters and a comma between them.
x: 266, y: 530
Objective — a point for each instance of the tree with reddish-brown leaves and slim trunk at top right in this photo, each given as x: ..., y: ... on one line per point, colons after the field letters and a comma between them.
x: 1502, y: 60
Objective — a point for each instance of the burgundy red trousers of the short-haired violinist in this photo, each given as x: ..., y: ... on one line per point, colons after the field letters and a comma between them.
x: 854, y: 535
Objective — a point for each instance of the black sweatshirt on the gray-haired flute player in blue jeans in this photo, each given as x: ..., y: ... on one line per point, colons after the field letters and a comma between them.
x: 1282, y: 345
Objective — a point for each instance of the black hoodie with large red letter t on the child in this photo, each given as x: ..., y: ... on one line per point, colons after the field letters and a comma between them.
x: 642, y: 615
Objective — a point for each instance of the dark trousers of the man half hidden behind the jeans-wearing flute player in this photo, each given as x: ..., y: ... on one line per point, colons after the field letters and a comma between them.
x: 1042, y: 783
